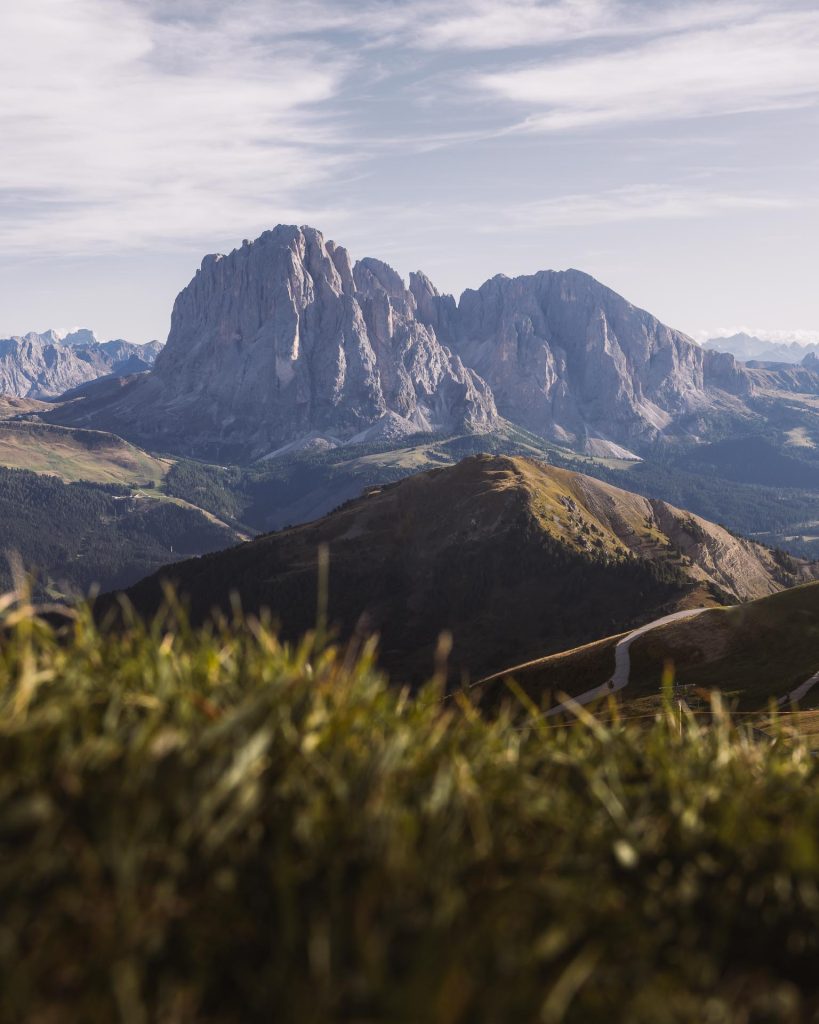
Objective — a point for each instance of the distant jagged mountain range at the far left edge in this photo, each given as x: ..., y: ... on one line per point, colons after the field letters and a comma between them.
x: 46, y: 366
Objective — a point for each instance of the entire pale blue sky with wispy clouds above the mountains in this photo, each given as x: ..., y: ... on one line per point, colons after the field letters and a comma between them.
x: 670, y: 148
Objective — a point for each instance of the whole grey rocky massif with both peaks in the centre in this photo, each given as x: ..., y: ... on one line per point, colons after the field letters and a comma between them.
x: 286, y: 344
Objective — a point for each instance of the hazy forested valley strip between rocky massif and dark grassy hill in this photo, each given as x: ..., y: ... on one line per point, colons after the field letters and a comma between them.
x: 756, y: 487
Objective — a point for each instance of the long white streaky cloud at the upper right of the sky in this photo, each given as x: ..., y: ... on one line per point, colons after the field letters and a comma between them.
x: 767, y: 64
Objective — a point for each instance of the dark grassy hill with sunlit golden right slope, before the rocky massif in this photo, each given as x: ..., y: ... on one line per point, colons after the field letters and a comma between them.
x: 516, y: 559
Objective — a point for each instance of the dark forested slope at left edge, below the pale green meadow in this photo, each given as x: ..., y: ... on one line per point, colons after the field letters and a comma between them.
x: 80, y: 535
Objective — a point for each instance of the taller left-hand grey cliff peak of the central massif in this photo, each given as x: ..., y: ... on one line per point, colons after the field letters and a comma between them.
x: 285, y: 337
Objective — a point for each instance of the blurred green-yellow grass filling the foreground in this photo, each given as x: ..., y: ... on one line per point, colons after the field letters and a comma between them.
x: 209, y: 827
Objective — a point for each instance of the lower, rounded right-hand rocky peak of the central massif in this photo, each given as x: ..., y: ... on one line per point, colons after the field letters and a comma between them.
x: 568, y: 358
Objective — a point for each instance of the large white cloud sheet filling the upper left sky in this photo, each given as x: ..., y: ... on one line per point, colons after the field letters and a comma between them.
x: 119, y: 127
